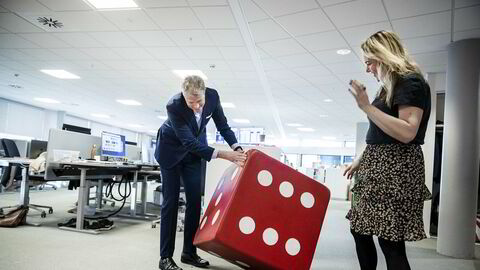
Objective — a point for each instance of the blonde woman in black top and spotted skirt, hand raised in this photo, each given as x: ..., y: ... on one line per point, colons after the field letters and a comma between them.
x: 390, y: 174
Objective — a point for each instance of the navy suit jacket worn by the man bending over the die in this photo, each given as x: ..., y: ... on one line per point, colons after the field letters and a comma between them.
x: 180, y: 134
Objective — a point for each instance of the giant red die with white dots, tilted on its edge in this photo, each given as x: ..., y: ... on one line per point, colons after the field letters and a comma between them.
x: 265, y: 215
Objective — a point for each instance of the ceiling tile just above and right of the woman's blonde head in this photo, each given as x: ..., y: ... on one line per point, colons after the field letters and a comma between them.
x: 424, y: 25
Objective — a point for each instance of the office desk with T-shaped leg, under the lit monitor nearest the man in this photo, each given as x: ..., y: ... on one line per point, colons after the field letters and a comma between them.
x: 101, y: 170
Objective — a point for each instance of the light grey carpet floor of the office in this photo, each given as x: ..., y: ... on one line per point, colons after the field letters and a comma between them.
x: 134, y: 244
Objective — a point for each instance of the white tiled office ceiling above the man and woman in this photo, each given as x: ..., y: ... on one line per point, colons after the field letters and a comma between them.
x: 129, y: 54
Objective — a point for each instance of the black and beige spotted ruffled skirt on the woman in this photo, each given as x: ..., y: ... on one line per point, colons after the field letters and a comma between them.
x: 389, y: 193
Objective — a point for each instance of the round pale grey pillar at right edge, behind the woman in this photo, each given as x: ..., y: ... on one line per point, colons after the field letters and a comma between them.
x: 460, y: 160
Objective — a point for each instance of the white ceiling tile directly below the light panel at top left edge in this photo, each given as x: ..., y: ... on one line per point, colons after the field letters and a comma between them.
x: 130, y: 19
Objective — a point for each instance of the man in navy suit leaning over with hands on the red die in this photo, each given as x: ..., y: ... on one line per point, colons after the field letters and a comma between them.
x: 181, y: 146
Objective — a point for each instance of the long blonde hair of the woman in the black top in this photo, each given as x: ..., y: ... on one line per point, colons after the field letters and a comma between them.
x: 392, y: 59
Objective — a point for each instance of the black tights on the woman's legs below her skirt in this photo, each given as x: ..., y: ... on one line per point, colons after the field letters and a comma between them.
x: 393, y: 251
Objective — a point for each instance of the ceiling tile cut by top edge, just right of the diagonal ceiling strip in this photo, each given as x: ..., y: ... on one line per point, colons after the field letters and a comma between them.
x: 282, y: 7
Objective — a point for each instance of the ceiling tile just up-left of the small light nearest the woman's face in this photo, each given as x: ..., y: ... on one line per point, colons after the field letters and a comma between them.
x: 323, y: 41
